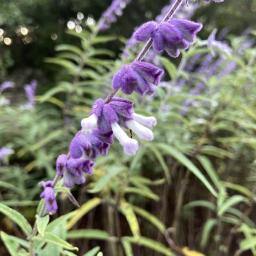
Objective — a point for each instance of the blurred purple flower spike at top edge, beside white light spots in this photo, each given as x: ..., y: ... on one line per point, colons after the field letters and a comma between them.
x: 110, y: 15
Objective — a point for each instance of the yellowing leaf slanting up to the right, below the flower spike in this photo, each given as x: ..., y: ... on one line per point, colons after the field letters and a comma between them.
x: 84, y: 209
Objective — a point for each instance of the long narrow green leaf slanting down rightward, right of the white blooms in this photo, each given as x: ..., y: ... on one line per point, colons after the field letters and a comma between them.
x: 187, y: 163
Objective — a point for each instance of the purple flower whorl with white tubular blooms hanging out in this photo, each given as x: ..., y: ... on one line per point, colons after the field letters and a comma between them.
x: 111, y: 117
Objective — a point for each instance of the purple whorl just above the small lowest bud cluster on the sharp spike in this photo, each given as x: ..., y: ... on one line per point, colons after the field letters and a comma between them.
x: 73, y: 169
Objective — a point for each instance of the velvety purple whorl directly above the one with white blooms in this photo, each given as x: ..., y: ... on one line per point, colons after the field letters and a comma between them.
x: 139, y: 76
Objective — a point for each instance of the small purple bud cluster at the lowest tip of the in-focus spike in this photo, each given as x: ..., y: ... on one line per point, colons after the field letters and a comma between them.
x: 49, y: 197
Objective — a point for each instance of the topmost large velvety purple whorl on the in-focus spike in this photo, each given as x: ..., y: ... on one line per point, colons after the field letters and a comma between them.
x: 171, y: 36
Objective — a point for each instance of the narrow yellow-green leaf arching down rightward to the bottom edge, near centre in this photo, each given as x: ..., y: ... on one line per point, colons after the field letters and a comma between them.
x: 151, y: 244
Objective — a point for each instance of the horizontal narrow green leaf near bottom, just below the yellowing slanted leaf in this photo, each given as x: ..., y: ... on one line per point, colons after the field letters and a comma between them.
x: 89, y: 234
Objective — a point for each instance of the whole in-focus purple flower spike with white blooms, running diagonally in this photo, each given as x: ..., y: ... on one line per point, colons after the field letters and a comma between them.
x: 110, y: 117
